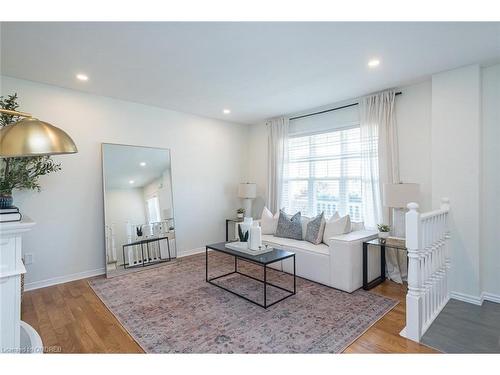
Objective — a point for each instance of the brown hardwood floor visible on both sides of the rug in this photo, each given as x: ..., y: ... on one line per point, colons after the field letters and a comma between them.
x: 71, y: 319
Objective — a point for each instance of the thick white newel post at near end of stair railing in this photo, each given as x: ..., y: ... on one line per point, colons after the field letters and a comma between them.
x: 413, y: 298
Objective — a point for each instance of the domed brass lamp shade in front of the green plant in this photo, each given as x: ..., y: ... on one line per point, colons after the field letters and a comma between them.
x: 32, y: 137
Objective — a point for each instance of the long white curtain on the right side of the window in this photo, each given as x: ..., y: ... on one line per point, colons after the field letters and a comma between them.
x: 380, y: 165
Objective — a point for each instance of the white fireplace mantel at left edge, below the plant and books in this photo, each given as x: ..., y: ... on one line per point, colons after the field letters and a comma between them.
x: 11, y: 269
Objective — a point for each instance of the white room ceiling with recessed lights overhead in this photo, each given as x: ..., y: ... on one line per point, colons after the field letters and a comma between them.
x: 258, y: 70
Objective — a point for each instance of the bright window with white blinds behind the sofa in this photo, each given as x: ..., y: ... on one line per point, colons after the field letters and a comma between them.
x: 323, y: 173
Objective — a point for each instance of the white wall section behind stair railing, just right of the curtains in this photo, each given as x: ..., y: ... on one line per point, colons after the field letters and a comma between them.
x: 456, y: 131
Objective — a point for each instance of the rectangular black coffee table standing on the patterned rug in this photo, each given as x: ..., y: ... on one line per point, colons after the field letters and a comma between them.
x: 263, y: 260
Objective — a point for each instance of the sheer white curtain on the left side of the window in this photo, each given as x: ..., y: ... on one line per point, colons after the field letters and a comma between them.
x: 277, y: 130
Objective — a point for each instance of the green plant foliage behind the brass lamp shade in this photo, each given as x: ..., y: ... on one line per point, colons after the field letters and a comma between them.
x: 21, y: 173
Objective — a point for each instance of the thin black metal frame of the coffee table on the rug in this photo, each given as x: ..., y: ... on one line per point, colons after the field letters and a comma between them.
x: 265, y: 282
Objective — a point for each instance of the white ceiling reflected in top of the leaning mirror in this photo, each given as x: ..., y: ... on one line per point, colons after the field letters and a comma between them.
x: 122, y: 164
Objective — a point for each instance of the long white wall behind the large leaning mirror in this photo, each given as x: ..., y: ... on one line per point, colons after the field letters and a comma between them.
x: 208, y: 162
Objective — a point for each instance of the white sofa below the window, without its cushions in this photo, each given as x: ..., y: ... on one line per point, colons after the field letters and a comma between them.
x: 338, y: 264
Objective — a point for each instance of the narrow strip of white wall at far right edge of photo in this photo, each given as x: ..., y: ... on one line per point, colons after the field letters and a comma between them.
x: 490, y: 233
